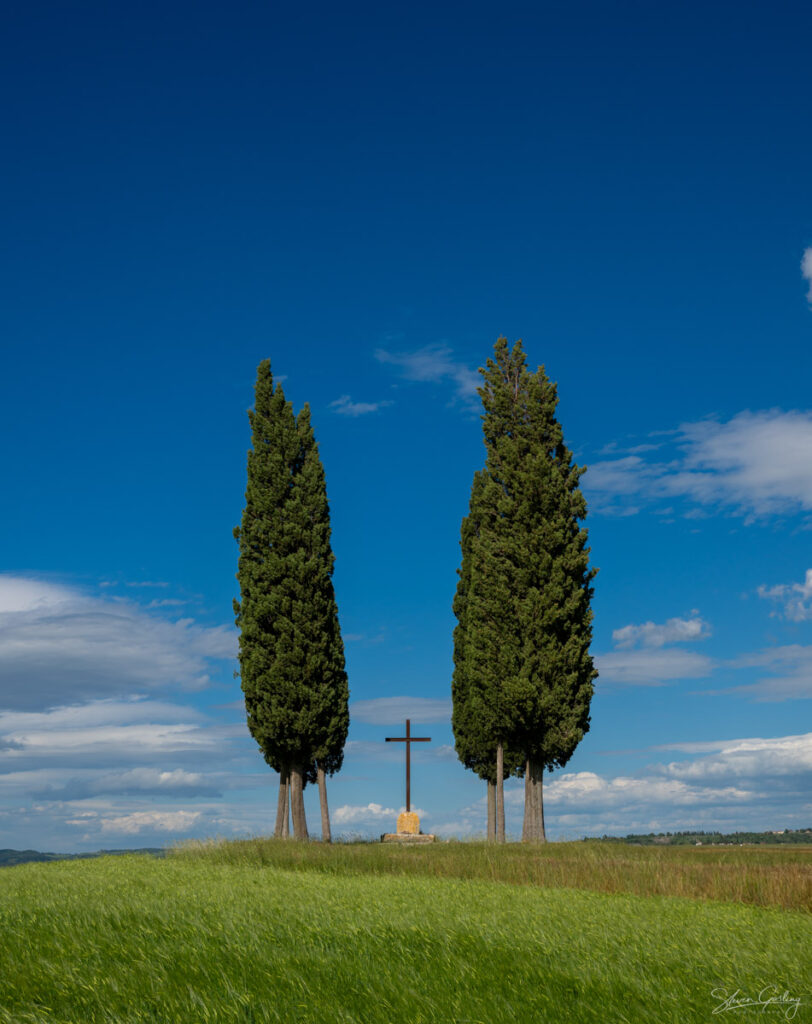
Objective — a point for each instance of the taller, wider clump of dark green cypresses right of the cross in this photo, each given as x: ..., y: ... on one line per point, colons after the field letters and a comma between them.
x: 524, y: 676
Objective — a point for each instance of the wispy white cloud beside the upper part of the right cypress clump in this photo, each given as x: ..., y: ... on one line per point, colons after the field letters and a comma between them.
x: 756, y: 464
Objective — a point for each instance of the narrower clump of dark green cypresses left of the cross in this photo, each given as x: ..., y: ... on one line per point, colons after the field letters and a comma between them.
x: 291, y: 653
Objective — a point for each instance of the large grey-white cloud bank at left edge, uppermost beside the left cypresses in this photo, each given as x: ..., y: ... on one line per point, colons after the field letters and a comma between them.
x: 60, y: 647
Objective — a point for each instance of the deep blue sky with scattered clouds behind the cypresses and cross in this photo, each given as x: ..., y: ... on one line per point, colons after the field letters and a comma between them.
x: 369, y: 198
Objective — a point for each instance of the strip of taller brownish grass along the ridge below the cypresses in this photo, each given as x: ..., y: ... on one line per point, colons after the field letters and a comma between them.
x: 761, y: 876
